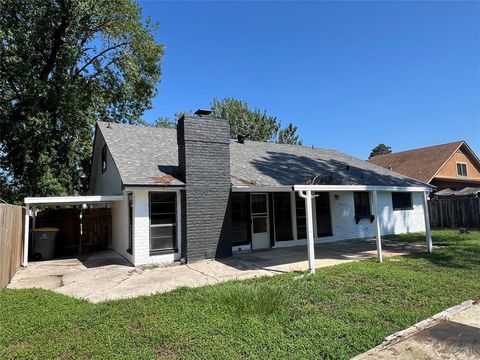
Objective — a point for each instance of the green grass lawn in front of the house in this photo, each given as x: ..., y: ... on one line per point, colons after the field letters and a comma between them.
x: 339, y: 312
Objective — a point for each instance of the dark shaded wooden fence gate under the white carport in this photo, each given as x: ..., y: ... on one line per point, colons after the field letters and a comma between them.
x: 81, y: 231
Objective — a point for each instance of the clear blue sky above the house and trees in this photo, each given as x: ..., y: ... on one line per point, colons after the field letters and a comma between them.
x: 350, y: 75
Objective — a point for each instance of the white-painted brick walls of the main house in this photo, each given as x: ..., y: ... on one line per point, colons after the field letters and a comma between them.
x: 342, y: 216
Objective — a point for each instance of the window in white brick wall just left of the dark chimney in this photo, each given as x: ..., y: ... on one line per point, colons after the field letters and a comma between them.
x: 163, y: 222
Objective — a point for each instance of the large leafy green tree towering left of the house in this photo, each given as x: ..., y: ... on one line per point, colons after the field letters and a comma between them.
x: 65, y: 64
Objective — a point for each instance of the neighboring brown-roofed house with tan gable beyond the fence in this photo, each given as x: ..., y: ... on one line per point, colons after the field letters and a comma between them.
x: 447, y: 166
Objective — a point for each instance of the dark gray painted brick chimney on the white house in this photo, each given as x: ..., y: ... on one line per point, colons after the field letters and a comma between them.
x: 204, y: 161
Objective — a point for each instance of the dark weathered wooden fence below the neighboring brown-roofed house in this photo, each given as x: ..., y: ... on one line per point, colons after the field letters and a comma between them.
x: 455, y: 212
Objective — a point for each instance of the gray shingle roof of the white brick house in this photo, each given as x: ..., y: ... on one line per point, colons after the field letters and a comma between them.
x: 149, y: 156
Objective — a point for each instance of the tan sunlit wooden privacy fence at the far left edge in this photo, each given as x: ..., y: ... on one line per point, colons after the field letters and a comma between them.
x: 11, y: 241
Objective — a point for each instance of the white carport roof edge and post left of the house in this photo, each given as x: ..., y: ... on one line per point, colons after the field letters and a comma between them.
x: 35, y: 202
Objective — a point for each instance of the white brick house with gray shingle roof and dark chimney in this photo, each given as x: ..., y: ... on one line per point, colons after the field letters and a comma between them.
x: 193, y: 193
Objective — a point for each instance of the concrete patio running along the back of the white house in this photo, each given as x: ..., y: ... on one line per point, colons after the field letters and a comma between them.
x: 106, y: 275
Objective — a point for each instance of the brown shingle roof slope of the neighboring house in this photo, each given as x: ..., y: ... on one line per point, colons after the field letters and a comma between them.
x: 421, y: 164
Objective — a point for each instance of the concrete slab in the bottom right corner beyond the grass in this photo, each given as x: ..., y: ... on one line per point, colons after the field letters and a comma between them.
x: 451, y: 334
